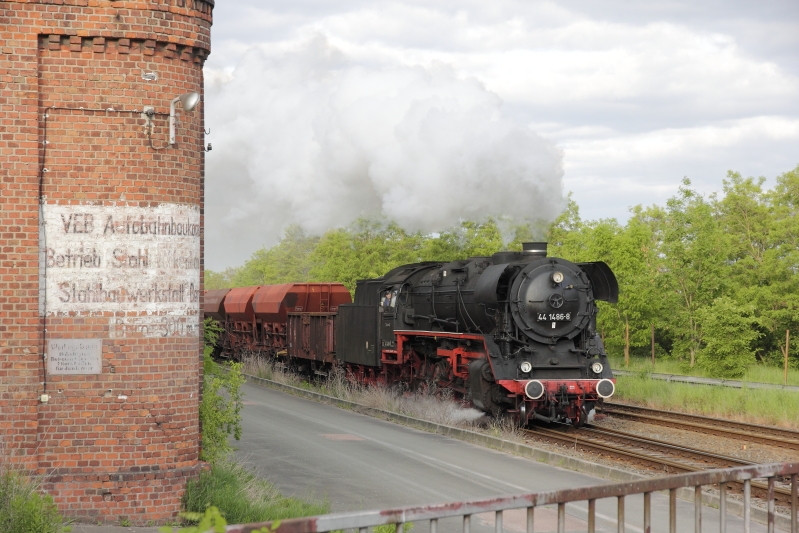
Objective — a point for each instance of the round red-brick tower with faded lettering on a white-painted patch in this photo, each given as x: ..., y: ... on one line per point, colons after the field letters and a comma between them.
x: 101, y: 250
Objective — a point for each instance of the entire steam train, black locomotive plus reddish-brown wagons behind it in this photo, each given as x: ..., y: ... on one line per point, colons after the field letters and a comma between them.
x: 514, y: 334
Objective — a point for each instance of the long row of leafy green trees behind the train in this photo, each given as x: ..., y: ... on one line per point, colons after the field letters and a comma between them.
x: 708, y: 280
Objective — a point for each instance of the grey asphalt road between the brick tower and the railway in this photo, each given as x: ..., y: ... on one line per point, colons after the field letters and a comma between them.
x: 356, y: 462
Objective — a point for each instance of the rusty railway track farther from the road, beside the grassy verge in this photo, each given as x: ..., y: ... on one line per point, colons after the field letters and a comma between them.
x: 778, y: 437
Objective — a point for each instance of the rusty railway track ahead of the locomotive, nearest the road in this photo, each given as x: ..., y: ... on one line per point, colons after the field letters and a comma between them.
x: 653, y: 454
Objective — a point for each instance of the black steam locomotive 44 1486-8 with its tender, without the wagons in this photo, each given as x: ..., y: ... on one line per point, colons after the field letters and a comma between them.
x: 514, y: 333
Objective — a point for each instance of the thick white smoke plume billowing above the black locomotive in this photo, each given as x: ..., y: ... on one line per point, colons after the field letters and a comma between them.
x: 308, y: 136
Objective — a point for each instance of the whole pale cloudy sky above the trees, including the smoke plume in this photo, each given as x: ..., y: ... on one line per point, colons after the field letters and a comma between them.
x: 432, y: 112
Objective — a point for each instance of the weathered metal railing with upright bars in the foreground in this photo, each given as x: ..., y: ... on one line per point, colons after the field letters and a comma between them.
x: 716, y: 479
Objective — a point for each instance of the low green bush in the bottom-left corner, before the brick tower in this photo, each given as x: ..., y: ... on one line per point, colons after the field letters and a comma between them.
x: 23, y: 509
